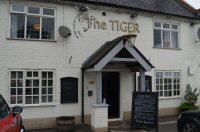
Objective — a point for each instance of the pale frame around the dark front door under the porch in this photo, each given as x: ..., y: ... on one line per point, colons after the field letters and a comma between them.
x: 120, y: 90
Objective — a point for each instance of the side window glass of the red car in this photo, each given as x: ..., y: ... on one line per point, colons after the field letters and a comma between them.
x: 4, y: 109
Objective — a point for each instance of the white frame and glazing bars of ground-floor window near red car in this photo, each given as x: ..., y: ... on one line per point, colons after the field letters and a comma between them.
x: 40, y: 86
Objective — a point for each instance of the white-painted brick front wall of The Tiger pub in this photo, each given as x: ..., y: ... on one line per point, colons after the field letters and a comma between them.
x: 55, y: 55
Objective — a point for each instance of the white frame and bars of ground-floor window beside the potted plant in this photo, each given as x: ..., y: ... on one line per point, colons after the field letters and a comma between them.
x: 172, y: 88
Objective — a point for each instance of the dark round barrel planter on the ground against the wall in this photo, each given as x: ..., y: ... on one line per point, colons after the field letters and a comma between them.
x: 65, y: 123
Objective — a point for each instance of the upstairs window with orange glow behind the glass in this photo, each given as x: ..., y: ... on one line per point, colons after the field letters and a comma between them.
x: 32, y: 22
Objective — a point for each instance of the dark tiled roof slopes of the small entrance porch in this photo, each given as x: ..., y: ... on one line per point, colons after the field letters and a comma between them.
x: 100, y: 53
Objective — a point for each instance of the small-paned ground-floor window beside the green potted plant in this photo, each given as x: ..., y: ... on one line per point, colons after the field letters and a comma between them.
x: 168, y: 83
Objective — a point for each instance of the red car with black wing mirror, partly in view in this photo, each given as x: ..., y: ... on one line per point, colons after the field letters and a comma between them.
x: 10, y: 121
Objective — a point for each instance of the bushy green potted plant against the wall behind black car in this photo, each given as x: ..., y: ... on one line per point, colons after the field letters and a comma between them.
x: 190, y: 99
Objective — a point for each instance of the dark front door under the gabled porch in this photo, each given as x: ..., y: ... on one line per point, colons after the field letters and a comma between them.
x: 111, y: 93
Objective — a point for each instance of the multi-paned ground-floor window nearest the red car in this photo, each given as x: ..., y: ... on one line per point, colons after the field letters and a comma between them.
x: 31, y: 87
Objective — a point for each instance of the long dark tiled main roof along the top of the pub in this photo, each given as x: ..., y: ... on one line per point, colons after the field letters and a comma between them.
x: 171, y: 7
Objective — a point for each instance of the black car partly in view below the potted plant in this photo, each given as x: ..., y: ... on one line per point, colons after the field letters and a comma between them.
x: 189, y: 121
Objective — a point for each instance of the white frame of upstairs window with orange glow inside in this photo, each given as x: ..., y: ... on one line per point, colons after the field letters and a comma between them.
x: 26, y: 14
